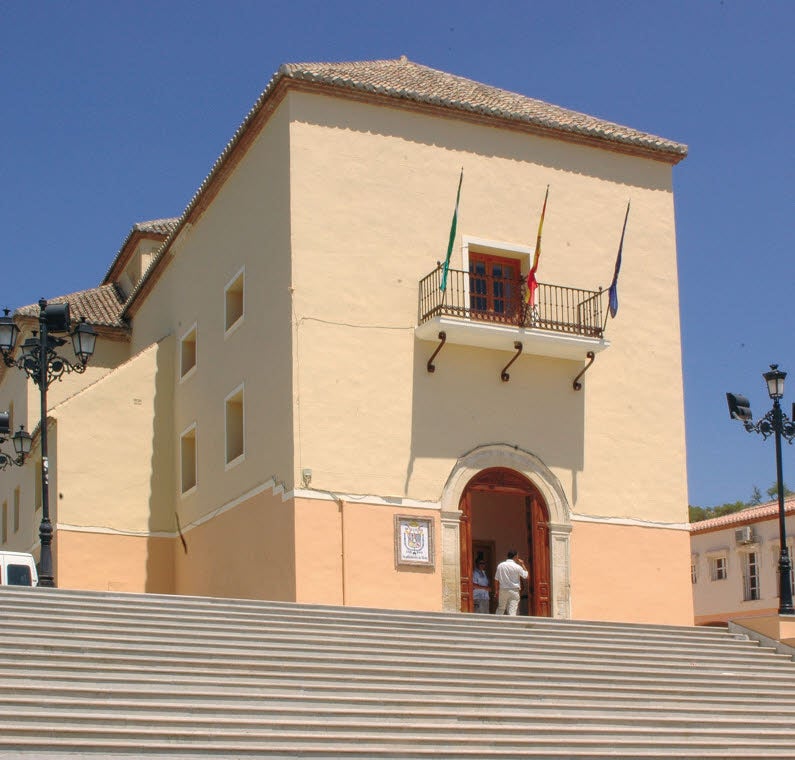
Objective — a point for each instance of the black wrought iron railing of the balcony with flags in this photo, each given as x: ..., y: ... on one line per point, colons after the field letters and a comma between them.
x: 485, y: 298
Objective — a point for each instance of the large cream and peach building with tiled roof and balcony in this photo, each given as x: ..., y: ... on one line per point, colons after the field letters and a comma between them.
x: 285, y: 404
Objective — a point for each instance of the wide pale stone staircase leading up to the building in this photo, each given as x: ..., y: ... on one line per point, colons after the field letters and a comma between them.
x: 123, y: 675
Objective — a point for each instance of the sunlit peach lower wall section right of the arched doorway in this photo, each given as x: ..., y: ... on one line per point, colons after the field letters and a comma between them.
x: 630, y: 574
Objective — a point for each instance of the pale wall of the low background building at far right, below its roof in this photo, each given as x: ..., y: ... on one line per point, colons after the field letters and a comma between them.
x: 723, y: 600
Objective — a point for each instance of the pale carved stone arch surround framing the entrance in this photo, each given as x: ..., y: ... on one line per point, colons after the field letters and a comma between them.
x: 529, y: 465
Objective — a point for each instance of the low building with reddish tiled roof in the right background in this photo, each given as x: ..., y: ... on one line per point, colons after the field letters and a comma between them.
x: 734, y: 564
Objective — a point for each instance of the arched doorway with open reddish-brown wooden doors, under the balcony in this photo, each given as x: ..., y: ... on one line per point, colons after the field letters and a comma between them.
x: 501, y: 510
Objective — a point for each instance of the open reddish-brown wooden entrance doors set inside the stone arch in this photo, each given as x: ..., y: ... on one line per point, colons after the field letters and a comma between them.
x: 504, y: 481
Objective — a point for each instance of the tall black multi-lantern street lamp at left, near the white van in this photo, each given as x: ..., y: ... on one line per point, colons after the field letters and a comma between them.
x: 40, y: 362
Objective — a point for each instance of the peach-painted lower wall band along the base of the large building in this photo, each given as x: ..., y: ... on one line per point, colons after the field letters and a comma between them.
x: 327, y: 552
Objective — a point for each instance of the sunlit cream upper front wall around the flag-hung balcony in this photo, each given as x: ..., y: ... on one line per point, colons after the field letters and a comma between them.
x: 372, y: 197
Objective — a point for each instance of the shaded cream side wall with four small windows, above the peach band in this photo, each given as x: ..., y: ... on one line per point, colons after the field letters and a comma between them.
x: 246, y: 226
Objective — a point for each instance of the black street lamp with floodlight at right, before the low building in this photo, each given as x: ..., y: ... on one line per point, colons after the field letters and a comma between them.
x: 777, y: 424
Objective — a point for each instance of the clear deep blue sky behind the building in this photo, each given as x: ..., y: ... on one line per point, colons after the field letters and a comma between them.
x: 113, y: 113
